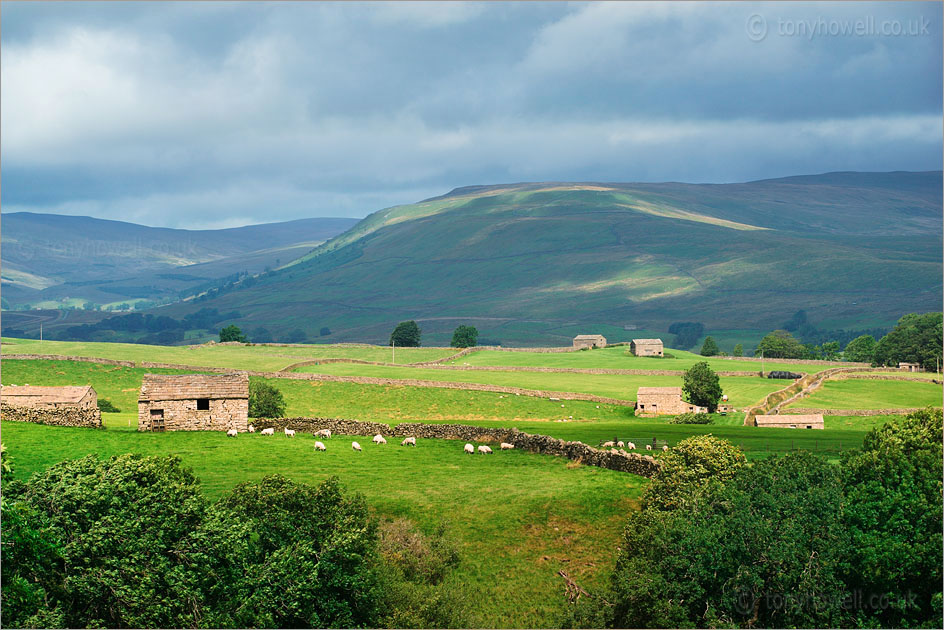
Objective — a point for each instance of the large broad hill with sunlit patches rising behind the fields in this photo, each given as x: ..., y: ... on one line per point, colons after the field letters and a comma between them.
x: 531, y: 263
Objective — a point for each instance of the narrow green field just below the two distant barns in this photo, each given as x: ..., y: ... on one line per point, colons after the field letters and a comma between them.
x: 618, y: 357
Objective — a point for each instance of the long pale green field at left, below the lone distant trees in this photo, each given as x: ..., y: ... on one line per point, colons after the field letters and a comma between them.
x: 261, y: 358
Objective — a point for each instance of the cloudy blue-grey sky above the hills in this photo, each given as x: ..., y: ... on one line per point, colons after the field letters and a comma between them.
x: 215, y: 114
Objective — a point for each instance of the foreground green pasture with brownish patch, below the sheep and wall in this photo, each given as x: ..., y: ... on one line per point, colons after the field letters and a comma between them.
x: 518, y: 517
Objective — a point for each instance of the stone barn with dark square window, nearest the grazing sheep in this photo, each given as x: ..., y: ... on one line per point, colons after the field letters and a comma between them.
x: 194, y: 402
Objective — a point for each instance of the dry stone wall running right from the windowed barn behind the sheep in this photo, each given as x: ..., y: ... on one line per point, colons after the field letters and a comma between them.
x: 643, y: 465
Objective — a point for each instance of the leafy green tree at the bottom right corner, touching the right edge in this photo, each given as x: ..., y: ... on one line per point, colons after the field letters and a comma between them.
x: 893, y: 514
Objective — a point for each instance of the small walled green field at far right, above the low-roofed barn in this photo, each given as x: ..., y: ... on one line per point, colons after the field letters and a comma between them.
x: 872, y: 394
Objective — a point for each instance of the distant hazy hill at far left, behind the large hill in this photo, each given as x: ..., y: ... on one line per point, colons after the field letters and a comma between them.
x: 53, y: 259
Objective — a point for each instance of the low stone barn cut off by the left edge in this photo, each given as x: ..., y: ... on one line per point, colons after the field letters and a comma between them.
x: 74, y: 406
